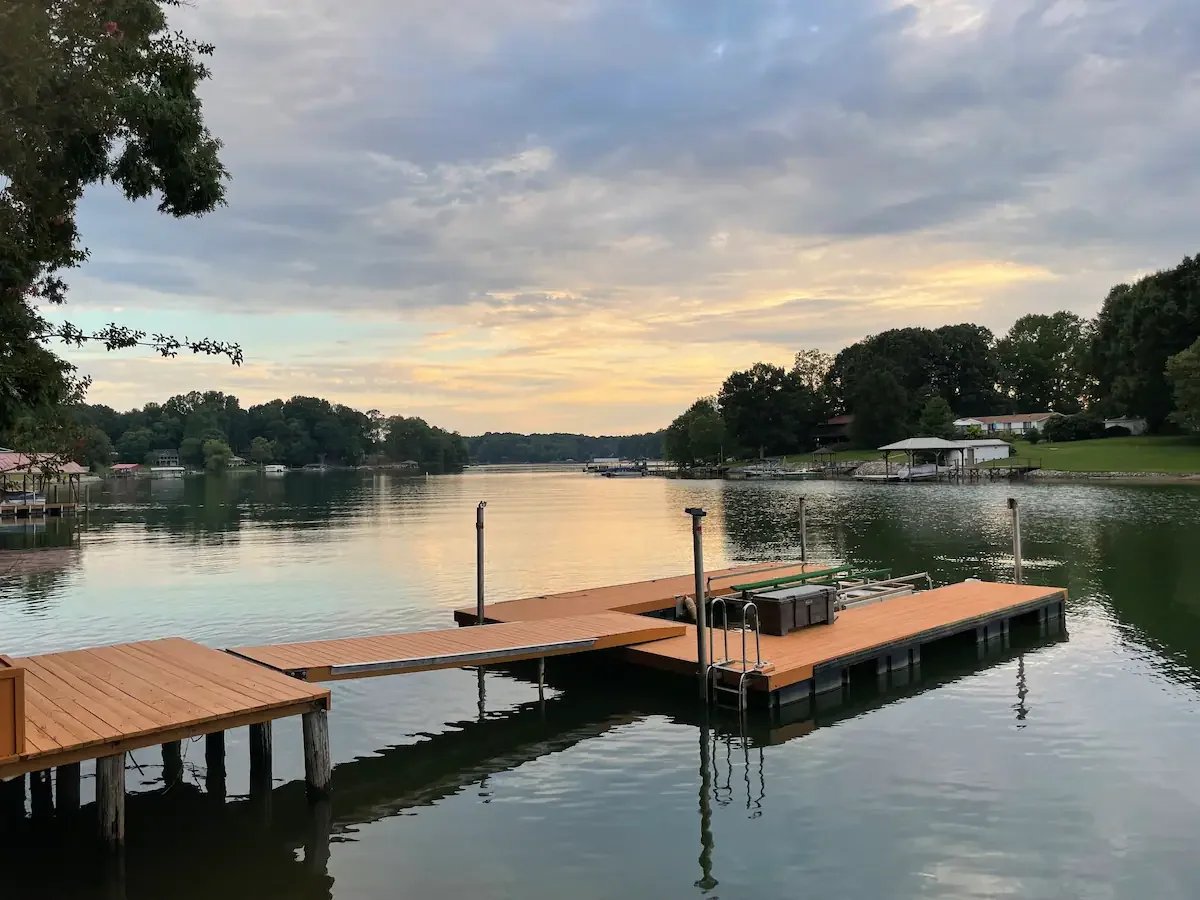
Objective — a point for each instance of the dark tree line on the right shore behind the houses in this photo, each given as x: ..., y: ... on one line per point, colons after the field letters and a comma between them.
x: 1141, y: 357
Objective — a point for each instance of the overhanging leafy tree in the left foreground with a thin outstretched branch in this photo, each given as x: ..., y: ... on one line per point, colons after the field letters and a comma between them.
x: 94, y: 93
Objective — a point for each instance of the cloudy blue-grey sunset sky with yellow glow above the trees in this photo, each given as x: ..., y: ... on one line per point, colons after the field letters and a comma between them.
x: 580, y: 215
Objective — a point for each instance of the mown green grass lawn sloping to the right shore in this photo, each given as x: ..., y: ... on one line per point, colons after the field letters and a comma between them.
x: 1177, y: 455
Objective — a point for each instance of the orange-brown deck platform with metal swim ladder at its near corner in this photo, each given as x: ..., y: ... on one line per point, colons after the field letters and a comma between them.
x: 898, y: 622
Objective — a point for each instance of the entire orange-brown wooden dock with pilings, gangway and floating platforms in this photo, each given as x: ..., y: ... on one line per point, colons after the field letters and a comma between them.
x: 61, y: 710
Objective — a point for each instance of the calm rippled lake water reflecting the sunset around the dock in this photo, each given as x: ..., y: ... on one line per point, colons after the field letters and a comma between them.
x: 1067, y: 769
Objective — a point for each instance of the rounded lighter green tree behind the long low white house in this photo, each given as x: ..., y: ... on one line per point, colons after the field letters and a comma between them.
x: 1043, y: 363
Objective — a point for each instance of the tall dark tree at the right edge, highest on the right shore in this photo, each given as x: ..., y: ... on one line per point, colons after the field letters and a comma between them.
x: 1138, y: 329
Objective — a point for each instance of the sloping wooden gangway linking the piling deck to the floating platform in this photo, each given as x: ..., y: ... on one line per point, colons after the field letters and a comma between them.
x: 458, y: 647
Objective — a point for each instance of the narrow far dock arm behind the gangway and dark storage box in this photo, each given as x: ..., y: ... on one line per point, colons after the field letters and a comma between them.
x: 639, y: 597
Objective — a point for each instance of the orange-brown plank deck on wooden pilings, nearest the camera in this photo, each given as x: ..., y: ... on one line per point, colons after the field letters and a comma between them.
x: 83, y: 705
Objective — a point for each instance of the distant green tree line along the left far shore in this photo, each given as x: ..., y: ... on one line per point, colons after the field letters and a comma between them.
x: 207, y: 429
